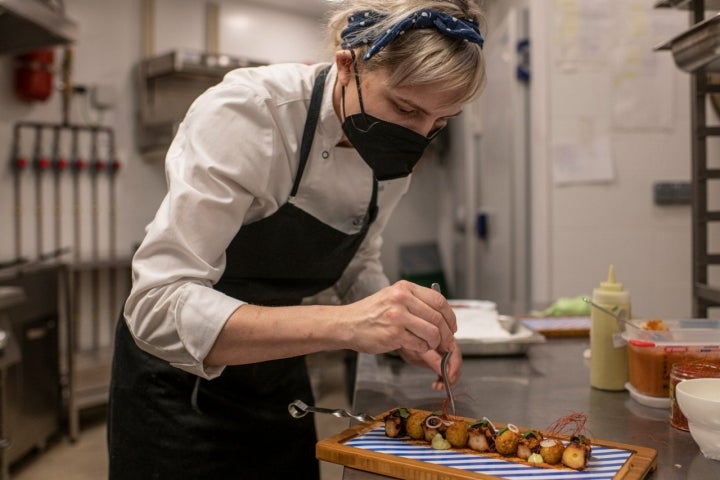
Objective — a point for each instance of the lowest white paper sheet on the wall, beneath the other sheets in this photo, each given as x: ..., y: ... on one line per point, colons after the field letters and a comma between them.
x: 583, y: 155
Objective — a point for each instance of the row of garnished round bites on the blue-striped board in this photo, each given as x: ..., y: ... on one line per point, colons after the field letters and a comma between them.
x: 545, y: 449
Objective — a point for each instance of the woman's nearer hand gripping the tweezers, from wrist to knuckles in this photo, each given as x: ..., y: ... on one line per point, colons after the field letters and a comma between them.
x: 404, y: 316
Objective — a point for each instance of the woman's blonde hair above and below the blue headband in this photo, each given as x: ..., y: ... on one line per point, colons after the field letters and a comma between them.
x: 421, y: 56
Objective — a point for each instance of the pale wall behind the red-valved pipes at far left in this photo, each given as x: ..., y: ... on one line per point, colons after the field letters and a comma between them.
x: 109, y: 45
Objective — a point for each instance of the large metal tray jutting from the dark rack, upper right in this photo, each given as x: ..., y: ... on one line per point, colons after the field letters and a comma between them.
x: 698, y: 47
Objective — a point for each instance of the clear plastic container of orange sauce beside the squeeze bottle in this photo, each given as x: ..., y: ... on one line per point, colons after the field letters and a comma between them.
x: 652, y: 353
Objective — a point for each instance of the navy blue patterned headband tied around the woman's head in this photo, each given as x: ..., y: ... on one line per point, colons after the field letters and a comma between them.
x: 464, y: 29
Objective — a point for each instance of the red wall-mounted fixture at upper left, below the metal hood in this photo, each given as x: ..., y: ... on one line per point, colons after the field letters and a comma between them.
x: 34, y: 75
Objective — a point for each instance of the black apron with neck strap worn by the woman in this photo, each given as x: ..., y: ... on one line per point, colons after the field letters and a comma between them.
x: 167, y: 423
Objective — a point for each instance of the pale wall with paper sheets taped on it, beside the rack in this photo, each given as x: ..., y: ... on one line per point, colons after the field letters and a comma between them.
x: 610, y: 118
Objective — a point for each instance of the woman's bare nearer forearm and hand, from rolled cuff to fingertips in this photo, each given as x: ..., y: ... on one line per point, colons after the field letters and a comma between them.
x: 403, y: 316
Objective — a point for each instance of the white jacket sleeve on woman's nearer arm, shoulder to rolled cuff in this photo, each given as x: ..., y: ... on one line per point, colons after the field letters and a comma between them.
x: 214, y: 175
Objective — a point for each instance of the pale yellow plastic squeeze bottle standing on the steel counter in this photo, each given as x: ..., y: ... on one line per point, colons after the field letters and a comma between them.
x: 608, y: 352
